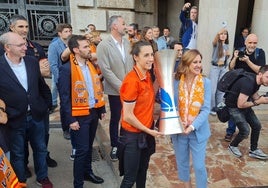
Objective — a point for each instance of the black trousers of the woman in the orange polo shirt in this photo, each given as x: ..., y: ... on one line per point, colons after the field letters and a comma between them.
x: 135, y: 151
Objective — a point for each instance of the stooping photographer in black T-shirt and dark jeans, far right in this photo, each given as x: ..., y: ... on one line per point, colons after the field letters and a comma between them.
x: 242, y: 97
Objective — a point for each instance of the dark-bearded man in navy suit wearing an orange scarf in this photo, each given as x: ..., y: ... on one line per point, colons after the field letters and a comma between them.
x: 82, y: 104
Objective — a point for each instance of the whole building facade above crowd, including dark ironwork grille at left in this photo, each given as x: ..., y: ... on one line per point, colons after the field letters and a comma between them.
x: 43, y: 16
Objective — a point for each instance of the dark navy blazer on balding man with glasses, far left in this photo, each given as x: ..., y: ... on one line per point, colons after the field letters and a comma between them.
x: 17, y: 99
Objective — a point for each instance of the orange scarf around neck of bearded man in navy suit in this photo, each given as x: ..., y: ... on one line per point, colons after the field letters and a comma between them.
x: 80, y: 95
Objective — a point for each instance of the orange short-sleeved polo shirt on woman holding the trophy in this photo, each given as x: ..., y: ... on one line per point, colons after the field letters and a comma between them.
x: 138, y: 88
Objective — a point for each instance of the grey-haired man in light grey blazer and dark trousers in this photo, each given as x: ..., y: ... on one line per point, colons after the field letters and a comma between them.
x: 115, y: 62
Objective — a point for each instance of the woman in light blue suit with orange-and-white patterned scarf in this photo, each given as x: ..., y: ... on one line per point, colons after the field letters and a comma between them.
x: 192, y: 93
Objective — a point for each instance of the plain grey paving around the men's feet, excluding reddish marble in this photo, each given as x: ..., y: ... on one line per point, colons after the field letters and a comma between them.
x: 62, y: 176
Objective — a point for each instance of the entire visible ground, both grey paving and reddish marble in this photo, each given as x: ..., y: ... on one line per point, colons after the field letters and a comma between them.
x: 224, y: 170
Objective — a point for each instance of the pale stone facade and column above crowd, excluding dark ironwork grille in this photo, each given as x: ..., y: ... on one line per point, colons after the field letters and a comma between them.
x: 212, y: 15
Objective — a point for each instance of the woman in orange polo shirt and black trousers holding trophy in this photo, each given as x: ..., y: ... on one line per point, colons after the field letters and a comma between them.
x: 136, y: 141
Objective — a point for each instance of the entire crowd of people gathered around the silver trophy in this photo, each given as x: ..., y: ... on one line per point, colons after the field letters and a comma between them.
x: 85, y: 67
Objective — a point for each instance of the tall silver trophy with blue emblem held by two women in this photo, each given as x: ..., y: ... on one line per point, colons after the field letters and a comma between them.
x: 169, y: 122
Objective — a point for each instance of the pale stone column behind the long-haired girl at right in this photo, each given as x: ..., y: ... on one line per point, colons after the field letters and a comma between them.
x: 212, y: 14
